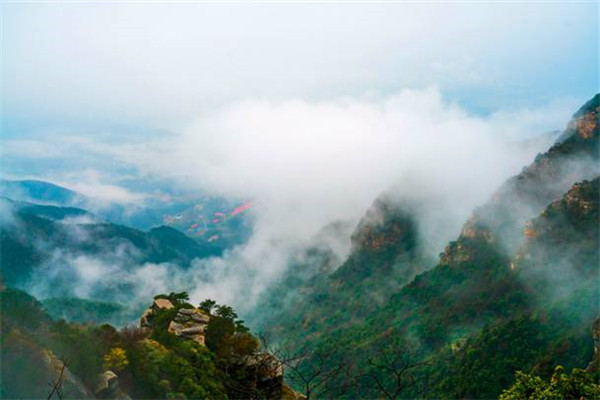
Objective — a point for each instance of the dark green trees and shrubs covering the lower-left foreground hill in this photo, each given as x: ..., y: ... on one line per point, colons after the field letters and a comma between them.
x: 149, y: 365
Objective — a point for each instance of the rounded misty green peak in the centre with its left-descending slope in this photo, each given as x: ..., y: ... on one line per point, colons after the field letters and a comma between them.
x: 385, y: 243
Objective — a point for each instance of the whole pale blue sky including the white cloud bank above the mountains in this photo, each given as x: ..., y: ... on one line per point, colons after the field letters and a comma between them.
x: 311, y: 109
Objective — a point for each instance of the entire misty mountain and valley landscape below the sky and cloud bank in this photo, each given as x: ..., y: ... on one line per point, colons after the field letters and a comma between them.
x: 117, y: 301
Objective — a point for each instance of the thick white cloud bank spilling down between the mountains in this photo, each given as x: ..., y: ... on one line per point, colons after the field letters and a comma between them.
x: 306, y: 164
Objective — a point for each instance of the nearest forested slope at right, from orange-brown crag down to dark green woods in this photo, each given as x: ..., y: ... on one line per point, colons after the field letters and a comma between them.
x: 559, y: 264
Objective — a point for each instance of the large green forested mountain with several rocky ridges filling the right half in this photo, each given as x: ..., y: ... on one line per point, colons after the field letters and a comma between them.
x: 503, y: 296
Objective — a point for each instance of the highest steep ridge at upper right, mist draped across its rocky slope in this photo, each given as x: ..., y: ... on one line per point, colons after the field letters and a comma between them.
x: 501, y: 221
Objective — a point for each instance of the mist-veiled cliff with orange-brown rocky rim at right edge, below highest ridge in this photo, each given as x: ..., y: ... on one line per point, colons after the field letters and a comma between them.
x: 559, y: 255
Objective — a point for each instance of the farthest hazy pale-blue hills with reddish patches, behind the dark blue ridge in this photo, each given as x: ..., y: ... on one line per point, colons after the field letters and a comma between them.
x: 223, y: 223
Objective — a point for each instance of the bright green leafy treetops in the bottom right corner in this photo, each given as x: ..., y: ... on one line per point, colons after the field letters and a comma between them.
x: 578, y: 385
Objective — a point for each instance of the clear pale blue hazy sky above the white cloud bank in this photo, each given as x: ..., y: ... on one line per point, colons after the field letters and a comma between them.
x: 157, y: 65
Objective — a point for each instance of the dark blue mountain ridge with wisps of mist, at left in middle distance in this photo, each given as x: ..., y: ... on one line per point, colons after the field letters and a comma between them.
x: 44, y: 238
